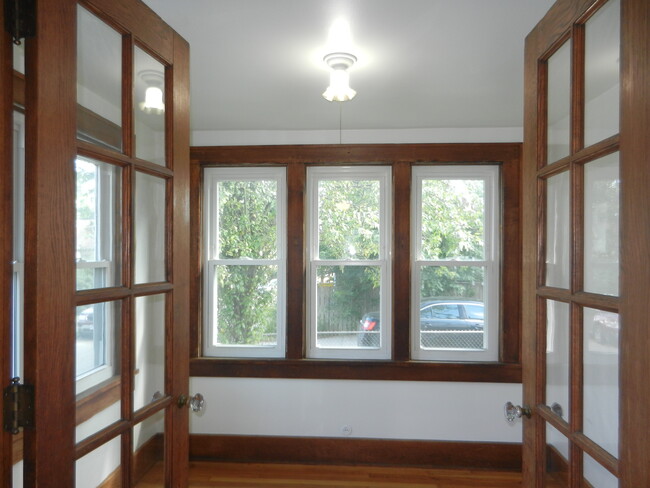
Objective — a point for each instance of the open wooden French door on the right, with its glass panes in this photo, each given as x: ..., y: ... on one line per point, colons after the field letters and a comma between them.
x: 586, y: 236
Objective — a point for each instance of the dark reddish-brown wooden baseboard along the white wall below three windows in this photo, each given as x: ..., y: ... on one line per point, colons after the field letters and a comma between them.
x: 354, y: 451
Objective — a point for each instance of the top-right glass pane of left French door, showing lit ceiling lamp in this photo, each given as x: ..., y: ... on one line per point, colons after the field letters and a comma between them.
x: 149, y: 107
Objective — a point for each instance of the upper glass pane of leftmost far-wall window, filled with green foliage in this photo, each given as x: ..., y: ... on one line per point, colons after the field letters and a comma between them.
x: 247, y: 217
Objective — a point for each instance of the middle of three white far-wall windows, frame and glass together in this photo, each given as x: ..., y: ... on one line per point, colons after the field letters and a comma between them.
x: 349, y: 273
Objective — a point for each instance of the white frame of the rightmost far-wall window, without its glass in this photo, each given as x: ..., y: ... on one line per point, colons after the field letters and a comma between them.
x: 490, y: 262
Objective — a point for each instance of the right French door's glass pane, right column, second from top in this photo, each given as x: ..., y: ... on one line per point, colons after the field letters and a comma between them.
x: 602, y: 186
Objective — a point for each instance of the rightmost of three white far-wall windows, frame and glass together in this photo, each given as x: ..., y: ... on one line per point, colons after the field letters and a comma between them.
x: 455, y: 263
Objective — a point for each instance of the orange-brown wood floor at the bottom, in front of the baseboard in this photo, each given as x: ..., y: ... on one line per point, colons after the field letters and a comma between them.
x: 237, y: 475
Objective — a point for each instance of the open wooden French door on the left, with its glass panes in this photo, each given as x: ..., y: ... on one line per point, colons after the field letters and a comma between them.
x: 103, y: 261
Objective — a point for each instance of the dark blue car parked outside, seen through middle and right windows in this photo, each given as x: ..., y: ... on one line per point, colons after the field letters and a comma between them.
x: 438, y: 314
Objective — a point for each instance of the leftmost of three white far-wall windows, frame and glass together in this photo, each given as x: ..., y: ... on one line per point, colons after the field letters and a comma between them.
x: 245, y: 262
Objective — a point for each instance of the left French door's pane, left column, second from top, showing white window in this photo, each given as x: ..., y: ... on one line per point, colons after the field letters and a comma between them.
x: 98, y: 224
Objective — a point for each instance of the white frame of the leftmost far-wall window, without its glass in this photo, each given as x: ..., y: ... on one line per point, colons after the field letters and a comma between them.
x: 212, y: 177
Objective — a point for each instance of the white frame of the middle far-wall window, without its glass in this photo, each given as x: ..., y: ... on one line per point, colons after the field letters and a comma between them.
x: 376, y: 173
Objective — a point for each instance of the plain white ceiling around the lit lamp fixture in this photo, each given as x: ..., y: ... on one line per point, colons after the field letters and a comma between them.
x: 257, y: 64
